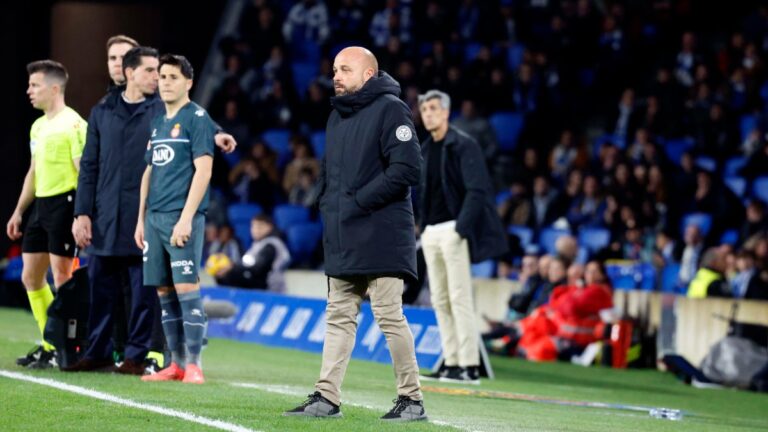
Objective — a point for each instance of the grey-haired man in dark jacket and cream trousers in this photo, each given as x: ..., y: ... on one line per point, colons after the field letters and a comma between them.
x: 459, y: 225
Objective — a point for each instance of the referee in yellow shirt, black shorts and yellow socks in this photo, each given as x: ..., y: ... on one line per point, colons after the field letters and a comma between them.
x: 56, y: 143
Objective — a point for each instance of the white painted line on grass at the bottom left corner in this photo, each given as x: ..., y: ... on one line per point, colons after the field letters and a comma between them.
x: 218, y: 424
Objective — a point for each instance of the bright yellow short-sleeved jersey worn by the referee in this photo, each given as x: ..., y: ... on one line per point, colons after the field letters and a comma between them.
x: 54, y: 143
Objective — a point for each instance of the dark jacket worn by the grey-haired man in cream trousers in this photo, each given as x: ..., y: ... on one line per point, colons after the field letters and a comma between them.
x: 468, y: 193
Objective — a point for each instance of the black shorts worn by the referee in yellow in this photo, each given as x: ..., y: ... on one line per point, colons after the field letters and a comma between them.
x: 49, y: 228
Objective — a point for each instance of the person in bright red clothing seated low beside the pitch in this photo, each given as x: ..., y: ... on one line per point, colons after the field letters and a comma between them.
x: 570, y: 319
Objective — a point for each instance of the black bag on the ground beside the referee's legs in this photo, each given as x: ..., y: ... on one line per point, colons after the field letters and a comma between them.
x: 67, y: 326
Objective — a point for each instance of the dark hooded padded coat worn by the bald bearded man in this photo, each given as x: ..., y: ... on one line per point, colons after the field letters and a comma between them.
x: 371, y: 161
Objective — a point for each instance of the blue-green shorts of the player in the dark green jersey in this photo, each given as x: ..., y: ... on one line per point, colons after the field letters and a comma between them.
x: 166, y: 265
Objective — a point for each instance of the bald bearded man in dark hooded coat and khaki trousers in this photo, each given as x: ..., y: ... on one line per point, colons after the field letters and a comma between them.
x: 371, y: 162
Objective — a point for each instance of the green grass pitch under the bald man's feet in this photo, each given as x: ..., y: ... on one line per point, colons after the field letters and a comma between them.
x: 251, y: 385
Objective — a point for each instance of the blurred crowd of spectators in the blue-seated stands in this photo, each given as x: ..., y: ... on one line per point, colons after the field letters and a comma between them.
x: 643, y: 140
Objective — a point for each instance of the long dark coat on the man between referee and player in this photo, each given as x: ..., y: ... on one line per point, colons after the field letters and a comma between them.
x: 110, y: 172
